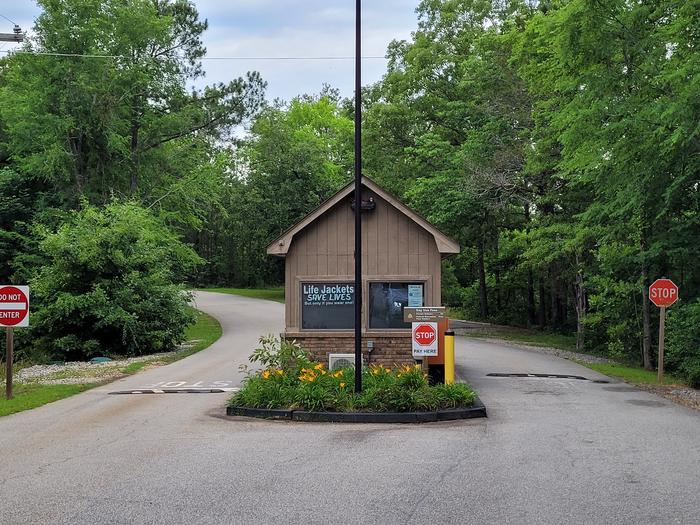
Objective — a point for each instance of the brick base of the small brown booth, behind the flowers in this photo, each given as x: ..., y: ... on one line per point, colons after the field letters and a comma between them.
x: 390, y: 351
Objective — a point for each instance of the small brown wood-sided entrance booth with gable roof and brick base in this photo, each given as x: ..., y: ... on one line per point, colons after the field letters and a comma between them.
x: 401, y: 266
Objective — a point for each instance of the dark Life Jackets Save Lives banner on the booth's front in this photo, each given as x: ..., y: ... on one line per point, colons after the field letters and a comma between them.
x: 327, y: 306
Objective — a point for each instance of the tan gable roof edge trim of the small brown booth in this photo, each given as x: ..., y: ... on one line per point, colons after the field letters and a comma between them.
x: 281, y: 245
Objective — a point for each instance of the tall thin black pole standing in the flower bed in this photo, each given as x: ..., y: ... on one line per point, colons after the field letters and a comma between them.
x: 358, y: 196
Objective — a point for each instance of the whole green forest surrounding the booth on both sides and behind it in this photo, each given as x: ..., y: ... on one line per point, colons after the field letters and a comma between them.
x: 558, y: 141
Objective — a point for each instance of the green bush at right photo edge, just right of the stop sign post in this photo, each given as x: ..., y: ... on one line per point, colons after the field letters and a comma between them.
x: 682, y: 354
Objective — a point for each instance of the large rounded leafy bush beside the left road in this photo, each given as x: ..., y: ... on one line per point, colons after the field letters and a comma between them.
x: 108, y: 285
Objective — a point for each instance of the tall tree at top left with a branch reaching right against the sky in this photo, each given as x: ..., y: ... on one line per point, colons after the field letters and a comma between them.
x: 120, y: 125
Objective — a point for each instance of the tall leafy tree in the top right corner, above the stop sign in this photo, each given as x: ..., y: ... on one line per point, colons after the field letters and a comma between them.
x: 608, y: 74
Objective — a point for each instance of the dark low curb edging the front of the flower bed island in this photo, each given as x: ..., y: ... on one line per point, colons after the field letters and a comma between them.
x: 477, y: 410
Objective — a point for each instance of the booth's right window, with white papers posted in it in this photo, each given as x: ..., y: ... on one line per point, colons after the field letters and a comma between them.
x: 387, y: 301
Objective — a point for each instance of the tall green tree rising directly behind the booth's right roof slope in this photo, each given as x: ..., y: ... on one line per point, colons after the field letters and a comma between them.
x: 457, y: 110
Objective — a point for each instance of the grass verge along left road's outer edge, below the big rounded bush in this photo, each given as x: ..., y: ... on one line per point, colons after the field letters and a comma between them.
x: 200, y: 335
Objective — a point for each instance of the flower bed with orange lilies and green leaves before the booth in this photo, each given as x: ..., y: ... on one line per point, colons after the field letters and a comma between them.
x: 289, y: 379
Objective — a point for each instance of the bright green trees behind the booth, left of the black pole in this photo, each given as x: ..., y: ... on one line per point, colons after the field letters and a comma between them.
x: 296, y: 156
